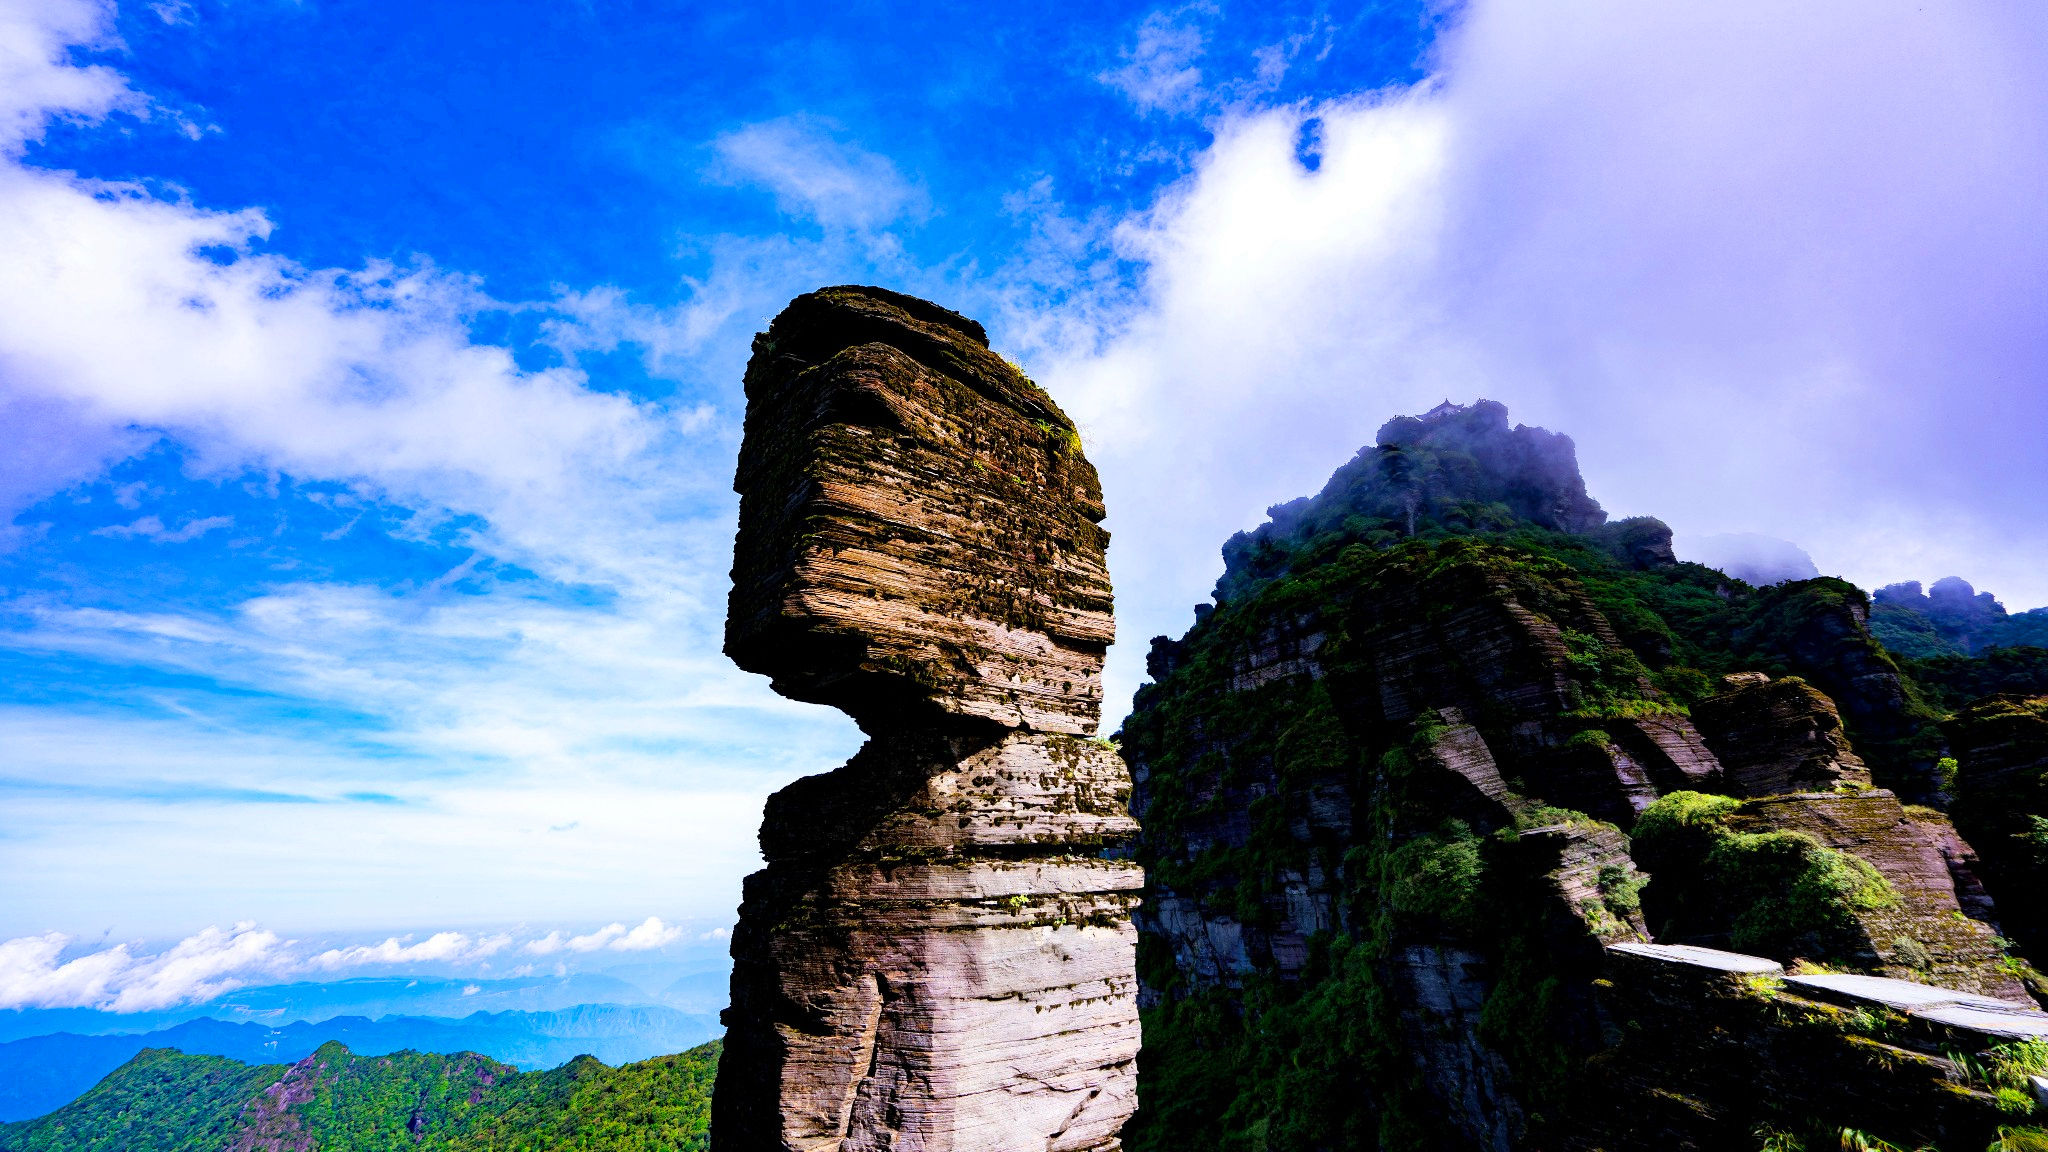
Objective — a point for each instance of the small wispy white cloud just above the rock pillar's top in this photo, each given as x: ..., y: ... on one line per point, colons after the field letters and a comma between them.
x: 816, y: 175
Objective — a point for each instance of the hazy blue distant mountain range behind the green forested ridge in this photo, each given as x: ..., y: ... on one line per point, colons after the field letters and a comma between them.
x: 44, y: 1073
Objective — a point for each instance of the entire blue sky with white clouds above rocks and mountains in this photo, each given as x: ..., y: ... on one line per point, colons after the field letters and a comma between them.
x: 372, y: 378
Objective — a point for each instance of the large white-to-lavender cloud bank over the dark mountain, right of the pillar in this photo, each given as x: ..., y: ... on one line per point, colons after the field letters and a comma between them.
x: 1773, y: 270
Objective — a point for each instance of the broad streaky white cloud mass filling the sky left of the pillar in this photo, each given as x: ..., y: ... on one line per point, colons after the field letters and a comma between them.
x: 597, y: 684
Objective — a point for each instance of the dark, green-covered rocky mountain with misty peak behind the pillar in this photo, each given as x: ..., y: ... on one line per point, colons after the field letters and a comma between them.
x: 1388, y: 788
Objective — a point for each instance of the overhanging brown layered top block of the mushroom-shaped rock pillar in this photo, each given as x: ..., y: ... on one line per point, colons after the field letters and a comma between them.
x: 919, y: 528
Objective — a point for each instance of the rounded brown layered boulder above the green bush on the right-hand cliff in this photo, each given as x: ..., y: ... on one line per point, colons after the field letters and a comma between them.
x: 1777, y: 737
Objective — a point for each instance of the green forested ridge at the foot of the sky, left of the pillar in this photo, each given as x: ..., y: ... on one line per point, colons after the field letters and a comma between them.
x: 167, y: 1102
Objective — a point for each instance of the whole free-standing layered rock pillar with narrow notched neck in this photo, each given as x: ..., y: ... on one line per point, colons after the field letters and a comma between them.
x: 937, y: 956
